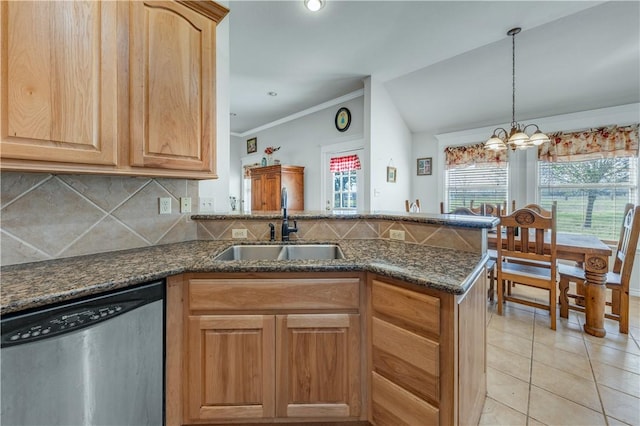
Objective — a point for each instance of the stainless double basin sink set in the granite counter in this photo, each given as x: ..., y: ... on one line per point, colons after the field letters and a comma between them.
x: 282, y: 252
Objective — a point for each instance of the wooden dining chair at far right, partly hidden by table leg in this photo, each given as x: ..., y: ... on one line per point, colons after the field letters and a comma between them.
x: 617, y: 280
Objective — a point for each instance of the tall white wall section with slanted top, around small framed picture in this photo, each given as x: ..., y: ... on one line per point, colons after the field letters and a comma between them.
x: 390, y: 144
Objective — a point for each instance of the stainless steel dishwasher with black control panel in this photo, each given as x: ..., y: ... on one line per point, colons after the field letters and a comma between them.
x: 97, y: 361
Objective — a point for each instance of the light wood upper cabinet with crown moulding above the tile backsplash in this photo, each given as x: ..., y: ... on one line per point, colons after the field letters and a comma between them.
x: 109, y: 87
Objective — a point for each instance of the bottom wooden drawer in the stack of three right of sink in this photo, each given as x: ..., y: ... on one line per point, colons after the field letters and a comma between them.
x: 392, y: 405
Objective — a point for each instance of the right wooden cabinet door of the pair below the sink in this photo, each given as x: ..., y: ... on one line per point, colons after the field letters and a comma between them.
x: 318, y: 364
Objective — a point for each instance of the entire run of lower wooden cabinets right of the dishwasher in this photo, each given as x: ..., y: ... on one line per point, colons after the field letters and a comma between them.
x: 323, y: 347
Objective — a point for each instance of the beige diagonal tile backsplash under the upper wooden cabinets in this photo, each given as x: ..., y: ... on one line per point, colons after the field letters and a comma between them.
x: 44, y: 216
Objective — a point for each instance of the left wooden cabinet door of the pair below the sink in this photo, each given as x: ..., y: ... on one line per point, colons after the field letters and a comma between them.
x: 231, y: 363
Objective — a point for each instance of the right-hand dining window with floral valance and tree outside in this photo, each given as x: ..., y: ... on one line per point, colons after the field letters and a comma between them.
x: 591, y: 174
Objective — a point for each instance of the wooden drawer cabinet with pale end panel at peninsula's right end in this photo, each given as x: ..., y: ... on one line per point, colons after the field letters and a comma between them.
x: 428, y: 354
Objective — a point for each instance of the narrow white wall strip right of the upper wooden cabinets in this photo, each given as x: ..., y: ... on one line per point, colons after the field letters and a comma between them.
x: 219, y: 188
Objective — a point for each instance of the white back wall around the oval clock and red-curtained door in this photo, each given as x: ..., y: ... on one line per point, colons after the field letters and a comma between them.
x: 301, y: 141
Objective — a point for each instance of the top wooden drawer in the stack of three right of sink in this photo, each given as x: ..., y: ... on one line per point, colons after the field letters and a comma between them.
x: 411, y: 310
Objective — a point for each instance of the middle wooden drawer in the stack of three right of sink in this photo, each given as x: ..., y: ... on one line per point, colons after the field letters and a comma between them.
x: 407, y: 359
